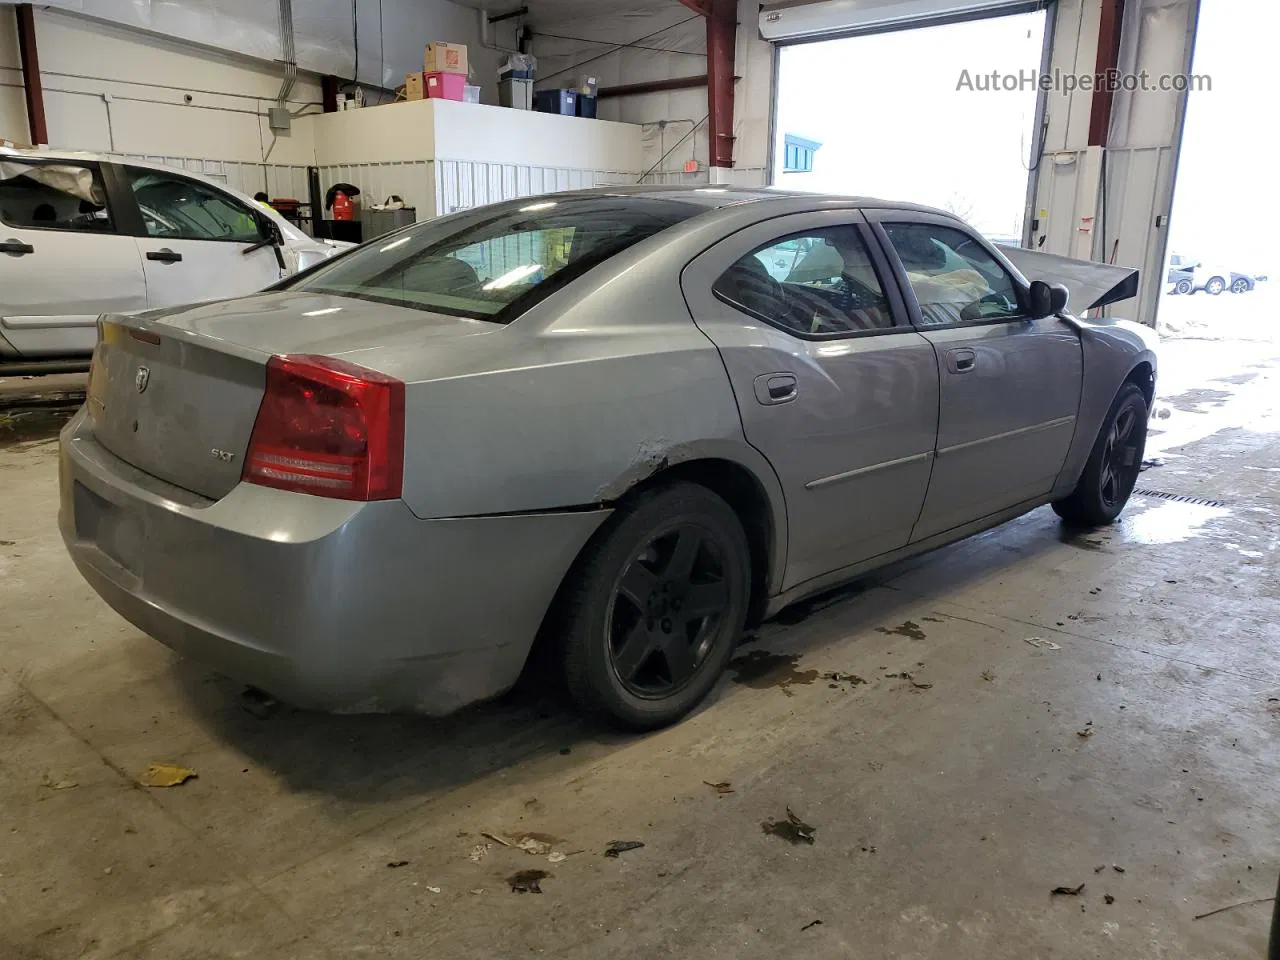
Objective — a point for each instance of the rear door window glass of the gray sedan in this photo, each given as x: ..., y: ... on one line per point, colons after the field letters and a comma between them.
x: 815, y: 284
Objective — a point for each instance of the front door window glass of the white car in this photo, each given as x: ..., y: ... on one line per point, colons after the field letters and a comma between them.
x: 181, y: 209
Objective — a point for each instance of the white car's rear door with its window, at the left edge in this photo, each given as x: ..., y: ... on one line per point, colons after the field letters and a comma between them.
x: 63, y: 260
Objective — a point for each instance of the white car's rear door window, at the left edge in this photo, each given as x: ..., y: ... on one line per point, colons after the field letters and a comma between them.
x: 53, y: 198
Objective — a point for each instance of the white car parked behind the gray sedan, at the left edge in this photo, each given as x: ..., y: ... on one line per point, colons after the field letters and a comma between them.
x: 84, y: 235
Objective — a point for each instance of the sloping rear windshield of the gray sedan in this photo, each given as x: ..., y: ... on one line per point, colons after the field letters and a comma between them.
x: 499, y: 267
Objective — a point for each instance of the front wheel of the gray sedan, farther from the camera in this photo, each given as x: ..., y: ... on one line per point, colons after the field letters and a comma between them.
x: 1114, y: 464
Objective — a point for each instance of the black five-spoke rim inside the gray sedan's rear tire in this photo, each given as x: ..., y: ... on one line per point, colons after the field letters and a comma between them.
x: 666, y: 609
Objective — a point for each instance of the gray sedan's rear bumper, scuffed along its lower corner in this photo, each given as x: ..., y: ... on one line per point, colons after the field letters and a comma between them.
x: 330, y: 605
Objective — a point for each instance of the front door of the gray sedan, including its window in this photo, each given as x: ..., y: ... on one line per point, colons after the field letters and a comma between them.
x: 1011, y: 385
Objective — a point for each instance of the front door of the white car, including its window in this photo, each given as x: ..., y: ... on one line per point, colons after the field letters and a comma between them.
x: 198, y: 243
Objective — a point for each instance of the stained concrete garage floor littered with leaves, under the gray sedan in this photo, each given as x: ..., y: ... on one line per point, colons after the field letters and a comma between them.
x: 947, y: 807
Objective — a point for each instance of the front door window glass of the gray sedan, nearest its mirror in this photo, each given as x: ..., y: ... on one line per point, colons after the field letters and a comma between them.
x: 954, y: 278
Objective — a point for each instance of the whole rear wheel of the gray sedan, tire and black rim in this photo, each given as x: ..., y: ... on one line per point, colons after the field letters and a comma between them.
x: 636, y: 651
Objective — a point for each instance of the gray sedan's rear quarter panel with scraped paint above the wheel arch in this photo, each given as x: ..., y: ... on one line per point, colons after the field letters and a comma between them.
x: 593, y: 391
